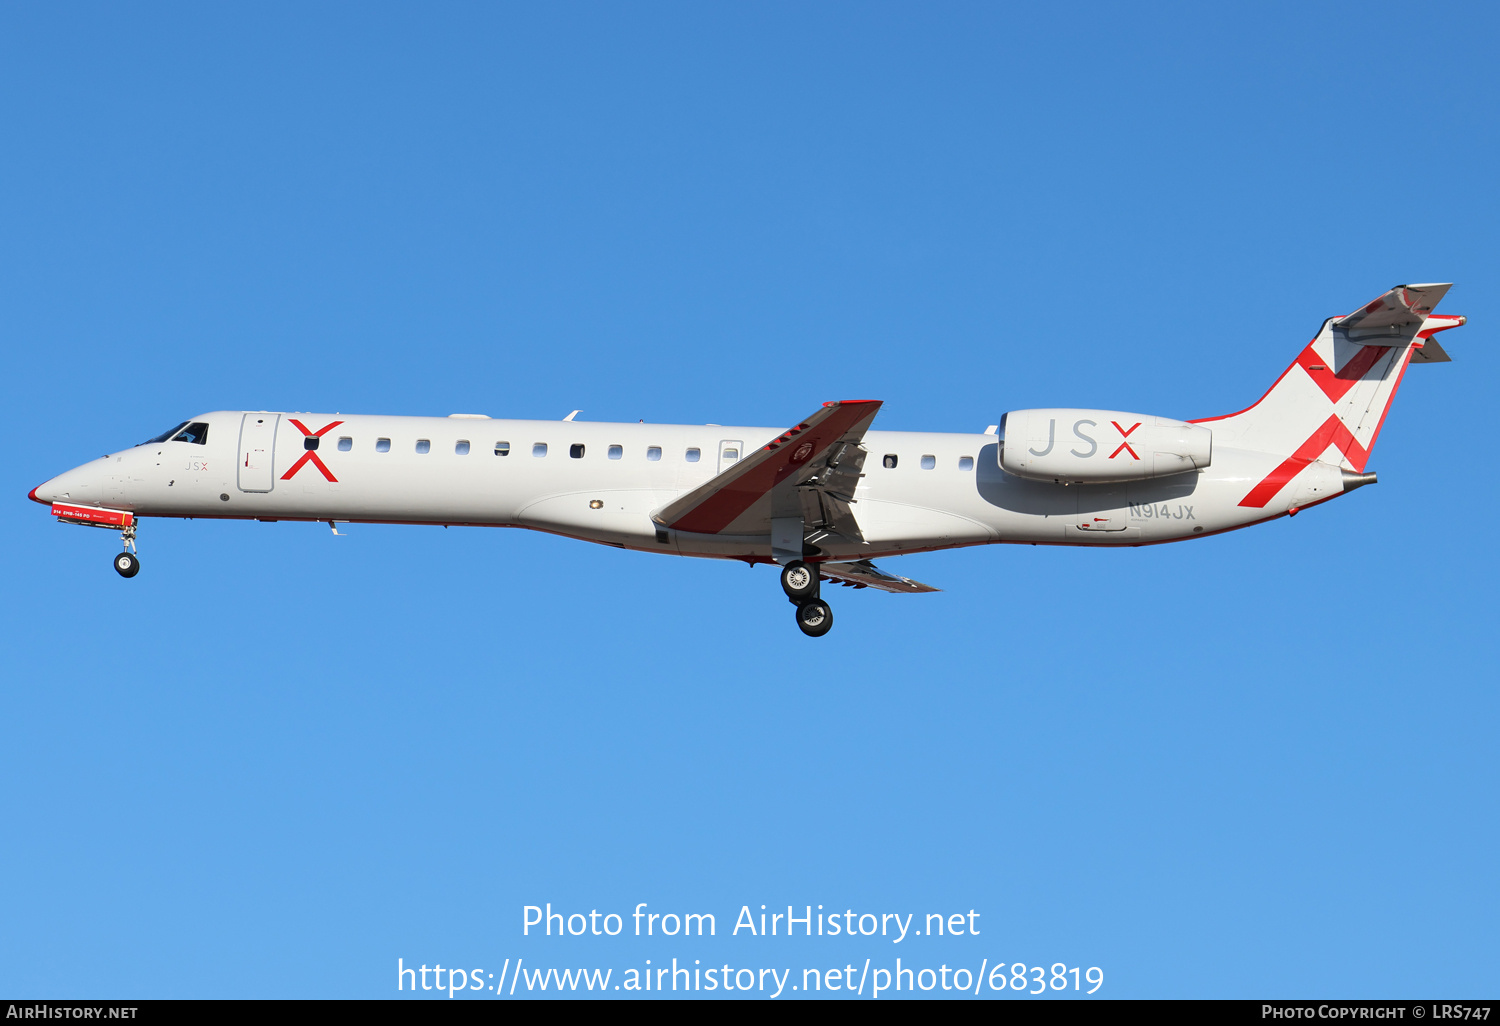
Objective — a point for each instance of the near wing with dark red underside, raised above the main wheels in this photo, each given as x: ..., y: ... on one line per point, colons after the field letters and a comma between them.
x: 808, y: 472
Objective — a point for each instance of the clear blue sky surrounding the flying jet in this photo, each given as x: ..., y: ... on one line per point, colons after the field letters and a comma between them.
x: 277, y: 761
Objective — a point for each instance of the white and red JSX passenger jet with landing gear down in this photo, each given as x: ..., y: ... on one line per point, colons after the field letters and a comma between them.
x: 821, y: 500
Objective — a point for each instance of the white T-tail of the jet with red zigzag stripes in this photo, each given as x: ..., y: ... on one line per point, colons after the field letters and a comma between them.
x: 1330, y: 406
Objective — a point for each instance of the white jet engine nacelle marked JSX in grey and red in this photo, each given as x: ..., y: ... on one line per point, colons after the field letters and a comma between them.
x: 1097, y: 446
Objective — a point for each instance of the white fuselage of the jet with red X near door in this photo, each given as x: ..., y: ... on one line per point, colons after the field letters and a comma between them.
x: 944, y: 490
